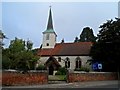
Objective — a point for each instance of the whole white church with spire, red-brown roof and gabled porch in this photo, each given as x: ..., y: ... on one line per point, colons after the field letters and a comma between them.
x: 69, y: 55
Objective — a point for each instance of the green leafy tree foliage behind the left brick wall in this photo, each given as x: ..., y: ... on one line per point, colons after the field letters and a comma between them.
x: 19, y: 55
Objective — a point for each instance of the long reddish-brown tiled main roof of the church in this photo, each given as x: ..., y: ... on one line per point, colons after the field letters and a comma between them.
x: 67, y: 49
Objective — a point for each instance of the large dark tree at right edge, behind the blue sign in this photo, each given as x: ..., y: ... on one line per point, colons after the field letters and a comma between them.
x: 107, y: 47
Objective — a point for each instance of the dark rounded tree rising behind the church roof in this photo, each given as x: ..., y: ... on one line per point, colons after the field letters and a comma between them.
x: 87, y: 35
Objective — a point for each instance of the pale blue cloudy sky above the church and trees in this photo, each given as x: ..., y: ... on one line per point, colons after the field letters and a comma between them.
x: 27, y: 20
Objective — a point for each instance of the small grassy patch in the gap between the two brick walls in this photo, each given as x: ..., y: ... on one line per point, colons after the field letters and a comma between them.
x: 57, y: 77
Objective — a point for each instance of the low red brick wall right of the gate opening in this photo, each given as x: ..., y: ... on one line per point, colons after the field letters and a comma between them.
x: 90, y: 76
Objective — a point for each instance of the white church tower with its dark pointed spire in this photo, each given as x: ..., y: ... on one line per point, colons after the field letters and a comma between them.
x: 49, y: 35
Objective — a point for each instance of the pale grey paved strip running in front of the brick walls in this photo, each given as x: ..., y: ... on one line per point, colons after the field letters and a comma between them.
x: 92, y: 84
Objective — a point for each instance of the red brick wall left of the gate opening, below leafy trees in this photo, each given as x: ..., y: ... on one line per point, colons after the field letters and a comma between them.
x: 31, y: 78
